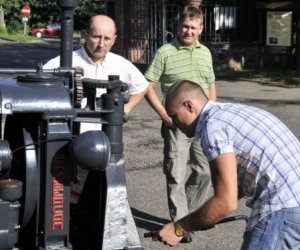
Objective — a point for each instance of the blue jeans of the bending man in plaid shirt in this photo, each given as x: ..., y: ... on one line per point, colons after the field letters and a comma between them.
x: 278, y: 231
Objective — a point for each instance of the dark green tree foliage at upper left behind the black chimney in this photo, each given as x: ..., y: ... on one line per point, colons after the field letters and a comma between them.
x: 44, y: 12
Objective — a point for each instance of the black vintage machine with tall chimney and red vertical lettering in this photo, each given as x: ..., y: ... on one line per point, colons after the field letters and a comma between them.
x: 41, y: 149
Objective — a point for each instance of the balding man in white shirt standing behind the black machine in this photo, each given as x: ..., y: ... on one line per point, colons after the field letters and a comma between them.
x: 98, y: 62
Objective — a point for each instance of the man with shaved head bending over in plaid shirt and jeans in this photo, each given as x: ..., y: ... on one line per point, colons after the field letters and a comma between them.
x: 250, y: 153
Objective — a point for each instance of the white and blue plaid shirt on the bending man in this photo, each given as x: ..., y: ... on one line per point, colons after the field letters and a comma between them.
x: 267, y: 153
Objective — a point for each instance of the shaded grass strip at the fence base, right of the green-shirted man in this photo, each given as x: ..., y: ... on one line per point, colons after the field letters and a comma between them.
x: 268, y: 75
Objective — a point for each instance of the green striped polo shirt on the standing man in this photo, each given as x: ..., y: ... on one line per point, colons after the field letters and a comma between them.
x: 173, y: 62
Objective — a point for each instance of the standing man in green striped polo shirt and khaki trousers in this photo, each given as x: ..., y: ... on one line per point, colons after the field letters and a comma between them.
x: 185, y: 166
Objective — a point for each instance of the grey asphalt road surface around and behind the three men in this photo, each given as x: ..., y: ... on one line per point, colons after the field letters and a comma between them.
x: 143, y: 149
